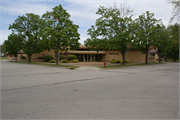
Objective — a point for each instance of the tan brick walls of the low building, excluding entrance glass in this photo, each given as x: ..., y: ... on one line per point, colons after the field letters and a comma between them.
x: 107, y: 56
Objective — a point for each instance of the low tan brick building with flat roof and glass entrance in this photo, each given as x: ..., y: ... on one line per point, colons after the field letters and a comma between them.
x: 84, y: 55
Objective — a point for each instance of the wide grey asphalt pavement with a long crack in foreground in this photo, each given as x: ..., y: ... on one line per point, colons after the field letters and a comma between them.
x: 44, y: 92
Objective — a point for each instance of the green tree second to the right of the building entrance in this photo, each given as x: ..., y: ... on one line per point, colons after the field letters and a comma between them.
x: 144, y: 33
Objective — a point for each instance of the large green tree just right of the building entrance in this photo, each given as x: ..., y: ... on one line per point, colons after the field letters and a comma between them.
x: 113, y: 30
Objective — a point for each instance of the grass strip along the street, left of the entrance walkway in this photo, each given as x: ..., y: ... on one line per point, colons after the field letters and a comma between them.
x: 49, y: 64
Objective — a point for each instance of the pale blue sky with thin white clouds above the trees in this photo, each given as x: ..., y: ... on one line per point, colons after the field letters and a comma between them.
x: 83, y: 12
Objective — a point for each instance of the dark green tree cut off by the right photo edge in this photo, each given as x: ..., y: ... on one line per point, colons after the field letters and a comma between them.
x: 173, y: 49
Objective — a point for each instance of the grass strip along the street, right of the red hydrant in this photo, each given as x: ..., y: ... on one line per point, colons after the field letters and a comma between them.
x: 138, y: 64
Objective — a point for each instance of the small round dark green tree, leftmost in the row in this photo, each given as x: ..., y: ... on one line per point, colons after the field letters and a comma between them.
x: 13, y: 44
